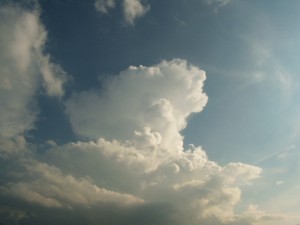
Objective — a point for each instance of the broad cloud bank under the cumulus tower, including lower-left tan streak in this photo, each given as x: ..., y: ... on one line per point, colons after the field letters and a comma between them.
x: 89, y: 173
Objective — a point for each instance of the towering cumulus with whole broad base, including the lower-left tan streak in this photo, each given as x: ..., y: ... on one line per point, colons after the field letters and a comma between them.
x: 141, y: 103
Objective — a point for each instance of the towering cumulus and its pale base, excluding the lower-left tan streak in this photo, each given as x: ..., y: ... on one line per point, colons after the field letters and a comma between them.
x: 138, y: 117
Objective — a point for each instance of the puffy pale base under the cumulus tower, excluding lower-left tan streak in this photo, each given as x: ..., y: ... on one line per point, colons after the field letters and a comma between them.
x: 188, y: 181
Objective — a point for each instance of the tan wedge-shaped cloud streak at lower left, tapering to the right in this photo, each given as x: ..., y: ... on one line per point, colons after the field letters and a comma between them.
x: 47, y: 186
